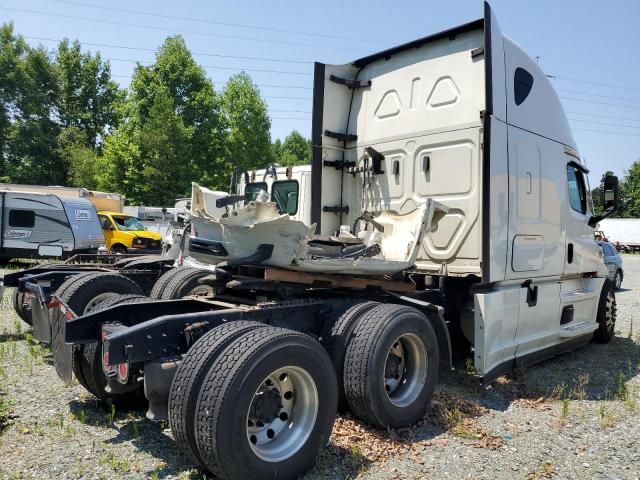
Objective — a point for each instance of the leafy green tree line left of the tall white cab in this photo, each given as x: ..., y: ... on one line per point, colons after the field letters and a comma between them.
x: 65, y: 121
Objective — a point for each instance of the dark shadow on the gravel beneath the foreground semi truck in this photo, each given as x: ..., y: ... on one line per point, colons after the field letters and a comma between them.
x: 594, y: 372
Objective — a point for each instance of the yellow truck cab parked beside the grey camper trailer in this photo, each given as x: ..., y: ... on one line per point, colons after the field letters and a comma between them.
x: 125, y: 234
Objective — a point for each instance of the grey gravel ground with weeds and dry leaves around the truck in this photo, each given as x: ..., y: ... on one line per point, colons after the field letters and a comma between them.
x: 574, y: 416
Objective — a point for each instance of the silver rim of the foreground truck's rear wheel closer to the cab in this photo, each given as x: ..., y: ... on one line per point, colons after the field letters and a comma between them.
x: 405, y: 371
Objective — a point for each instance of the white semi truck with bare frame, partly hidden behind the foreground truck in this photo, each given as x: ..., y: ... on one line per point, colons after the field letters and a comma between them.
x: 189, y: 255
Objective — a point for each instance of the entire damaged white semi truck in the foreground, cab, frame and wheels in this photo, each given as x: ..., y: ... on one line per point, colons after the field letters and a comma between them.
x: 449, y: 217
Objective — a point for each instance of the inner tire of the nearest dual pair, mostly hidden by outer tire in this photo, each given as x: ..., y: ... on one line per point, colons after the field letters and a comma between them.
x: 187, y: 381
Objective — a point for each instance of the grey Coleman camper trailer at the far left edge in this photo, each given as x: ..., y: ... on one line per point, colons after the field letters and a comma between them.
x: 41, y: 225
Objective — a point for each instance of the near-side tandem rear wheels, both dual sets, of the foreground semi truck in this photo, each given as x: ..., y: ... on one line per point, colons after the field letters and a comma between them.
x: 252, y: 401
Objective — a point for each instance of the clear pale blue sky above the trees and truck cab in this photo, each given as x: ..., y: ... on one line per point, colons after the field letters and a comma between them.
x: 590, y: 46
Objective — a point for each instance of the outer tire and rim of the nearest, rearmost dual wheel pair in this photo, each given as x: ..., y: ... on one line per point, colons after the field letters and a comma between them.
x: 266, y: 406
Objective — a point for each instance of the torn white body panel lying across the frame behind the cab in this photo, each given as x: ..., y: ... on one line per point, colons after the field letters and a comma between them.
x: 389, y: 243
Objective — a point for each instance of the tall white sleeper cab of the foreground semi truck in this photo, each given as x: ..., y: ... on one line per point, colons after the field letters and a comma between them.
x: 467, y: 118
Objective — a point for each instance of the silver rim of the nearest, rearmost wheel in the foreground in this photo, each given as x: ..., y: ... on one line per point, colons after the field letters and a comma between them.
x: 282, y: 414
